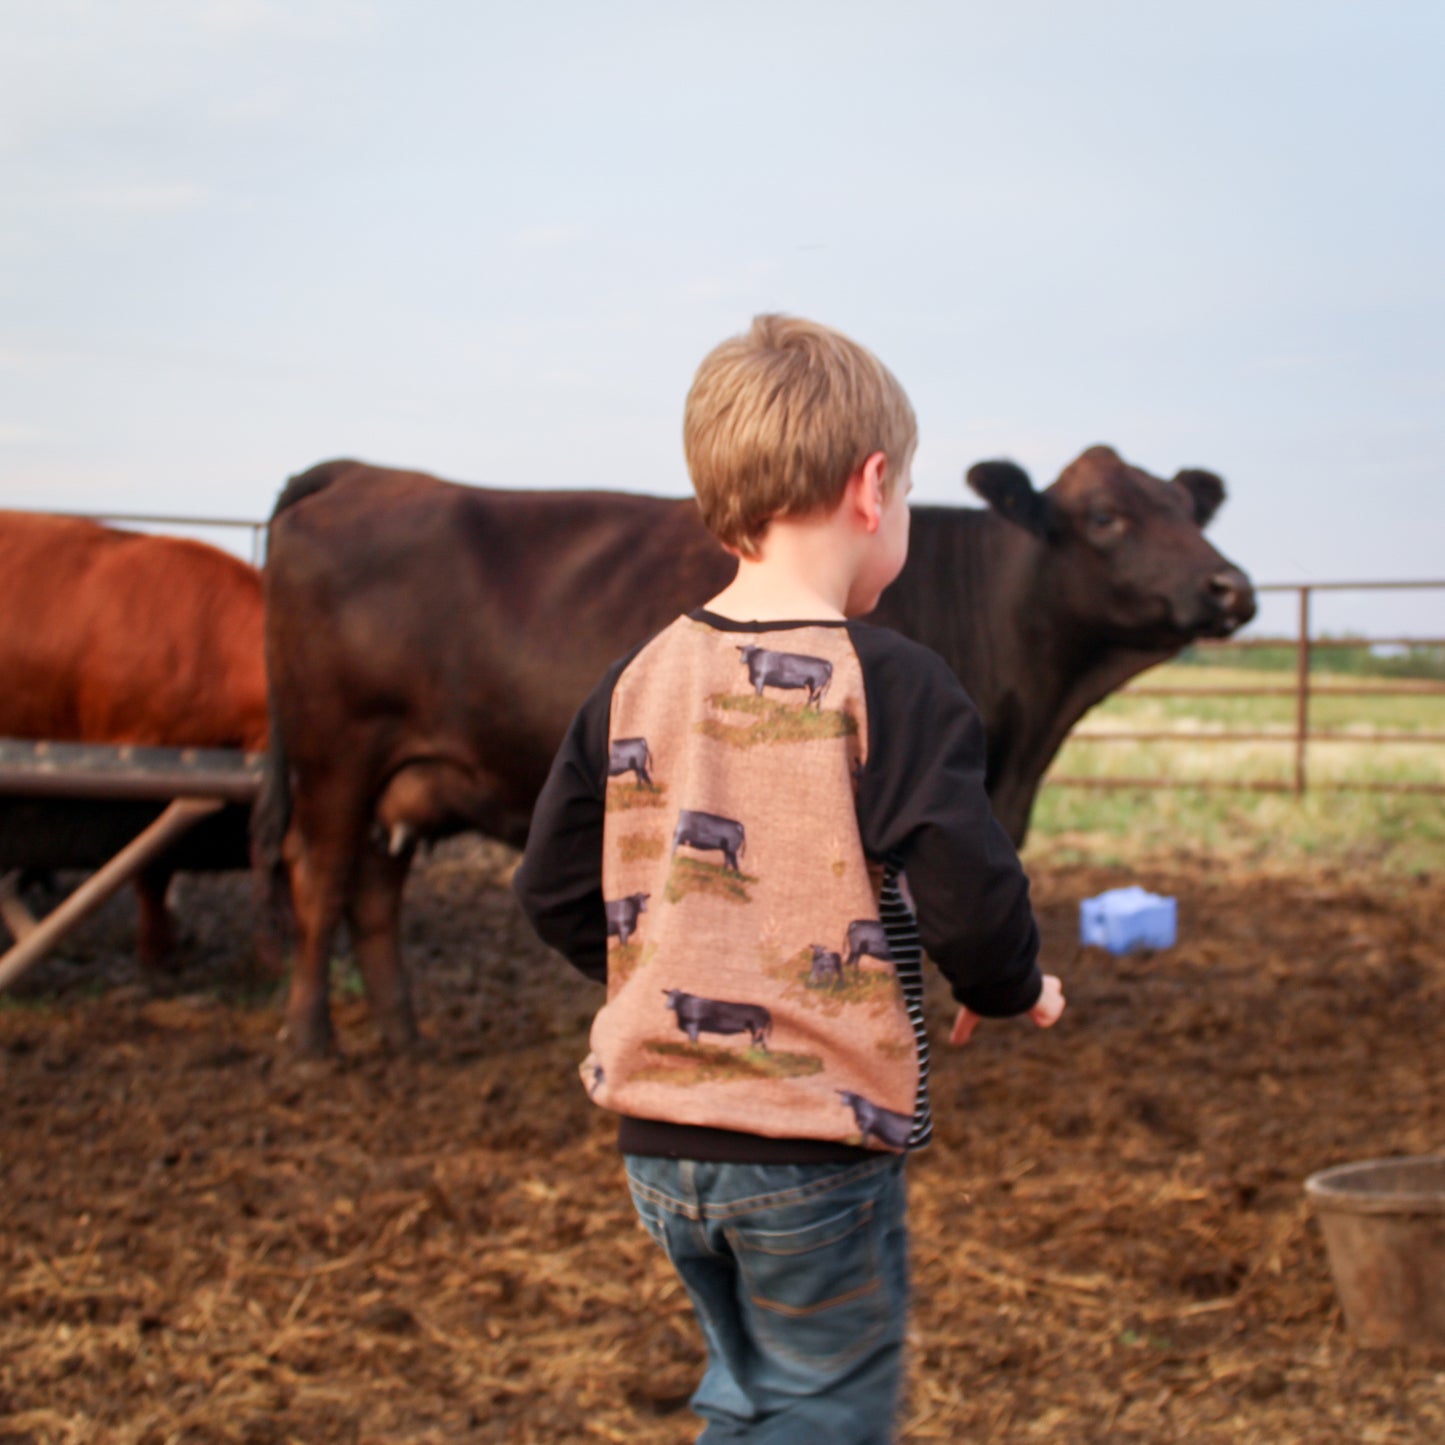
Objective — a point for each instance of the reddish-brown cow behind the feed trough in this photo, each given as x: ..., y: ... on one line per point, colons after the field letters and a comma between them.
x: 112, y: 637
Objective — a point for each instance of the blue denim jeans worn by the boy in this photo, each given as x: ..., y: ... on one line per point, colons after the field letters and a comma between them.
x: 798, y: 1275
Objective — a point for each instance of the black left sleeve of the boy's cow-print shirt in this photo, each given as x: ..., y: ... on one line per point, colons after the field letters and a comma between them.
x: 560, y: 879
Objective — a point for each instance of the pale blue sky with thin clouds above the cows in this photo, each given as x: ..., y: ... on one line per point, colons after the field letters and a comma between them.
x: 493, y: 242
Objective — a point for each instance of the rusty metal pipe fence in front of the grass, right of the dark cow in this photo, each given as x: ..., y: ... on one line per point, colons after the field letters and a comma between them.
x: 1306, y: 691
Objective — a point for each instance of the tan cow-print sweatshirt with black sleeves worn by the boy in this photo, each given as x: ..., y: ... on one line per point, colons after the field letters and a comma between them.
x: 725, y: 840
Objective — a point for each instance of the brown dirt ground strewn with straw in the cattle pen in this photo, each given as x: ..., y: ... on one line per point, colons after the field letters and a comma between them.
x: 202, y: 1242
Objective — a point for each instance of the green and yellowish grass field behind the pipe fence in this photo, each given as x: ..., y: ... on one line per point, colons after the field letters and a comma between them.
x: 1402, y: 833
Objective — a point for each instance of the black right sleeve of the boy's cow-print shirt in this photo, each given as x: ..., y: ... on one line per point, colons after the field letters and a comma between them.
x: 923, y: 801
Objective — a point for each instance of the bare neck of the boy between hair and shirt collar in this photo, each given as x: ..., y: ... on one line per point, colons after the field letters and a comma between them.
x: 800, y: 574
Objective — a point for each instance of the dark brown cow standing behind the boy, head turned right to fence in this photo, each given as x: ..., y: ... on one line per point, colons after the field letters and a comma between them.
x: 428, y: 645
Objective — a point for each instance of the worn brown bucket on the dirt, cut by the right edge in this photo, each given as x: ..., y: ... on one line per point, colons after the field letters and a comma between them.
x: 1385, y: 1232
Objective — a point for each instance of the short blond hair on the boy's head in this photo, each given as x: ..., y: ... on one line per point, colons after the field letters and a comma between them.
x: 778, y: 420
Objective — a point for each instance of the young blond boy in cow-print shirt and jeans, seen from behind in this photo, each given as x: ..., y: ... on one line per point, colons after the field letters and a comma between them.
x: 723, y: 840
